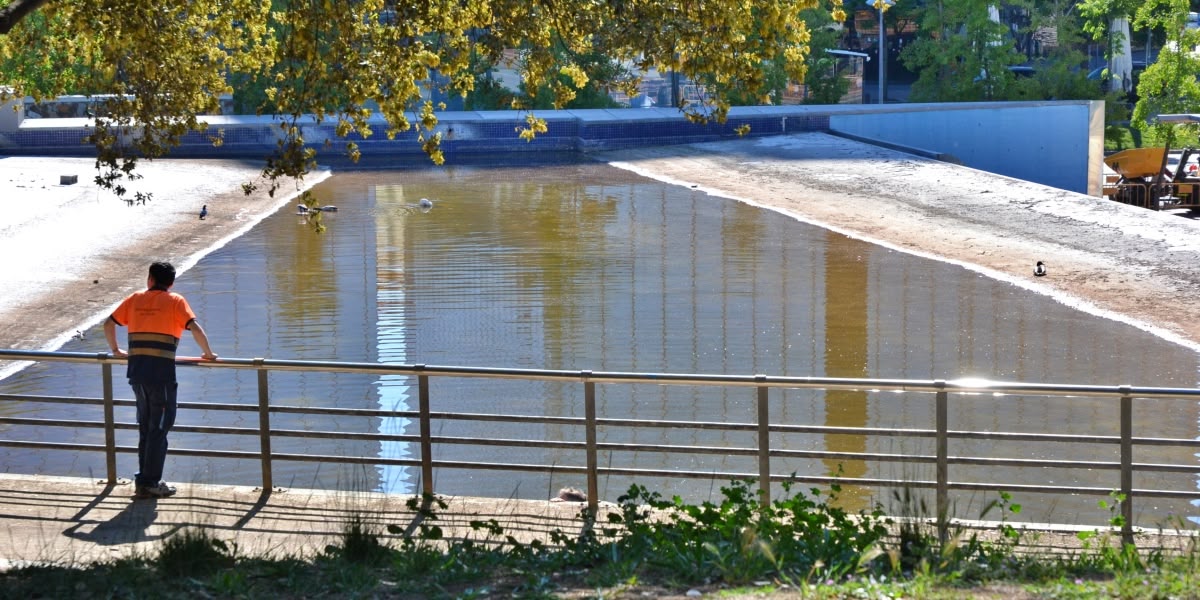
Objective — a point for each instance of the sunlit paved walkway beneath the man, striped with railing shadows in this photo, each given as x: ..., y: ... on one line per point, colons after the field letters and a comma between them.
x: 75, y: 521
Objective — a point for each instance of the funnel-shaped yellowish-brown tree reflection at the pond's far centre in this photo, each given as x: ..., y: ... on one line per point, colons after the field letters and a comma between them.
x: 556, y: 231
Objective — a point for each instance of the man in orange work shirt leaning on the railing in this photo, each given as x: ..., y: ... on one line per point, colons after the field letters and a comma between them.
x: 155, y: 319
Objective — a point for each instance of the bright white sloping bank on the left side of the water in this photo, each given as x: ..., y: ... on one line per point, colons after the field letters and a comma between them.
x: 74, y: 251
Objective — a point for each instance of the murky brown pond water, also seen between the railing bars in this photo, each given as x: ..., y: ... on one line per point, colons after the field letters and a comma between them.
x: 587, y: 267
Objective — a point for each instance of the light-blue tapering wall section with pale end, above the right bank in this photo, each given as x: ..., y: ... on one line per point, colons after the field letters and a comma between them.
x: 1059, y: 145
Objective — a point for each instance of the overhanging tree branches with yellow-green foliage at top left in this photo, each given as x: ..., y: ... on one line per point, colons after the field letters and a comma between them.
x: 165, y: 63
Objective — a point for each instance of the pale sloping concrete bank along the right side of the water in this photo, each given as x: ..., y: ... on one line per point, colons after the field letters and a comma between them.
x: 1120, y: 262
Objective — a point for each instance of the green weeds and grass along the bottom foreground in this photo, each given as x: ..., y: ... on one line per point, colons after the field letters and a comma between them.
x: 800, y: 547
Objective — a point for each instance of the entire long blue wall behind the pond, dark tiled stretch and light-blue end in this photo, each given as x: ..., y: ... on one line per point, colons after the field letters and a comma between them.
x: 1053, y: 143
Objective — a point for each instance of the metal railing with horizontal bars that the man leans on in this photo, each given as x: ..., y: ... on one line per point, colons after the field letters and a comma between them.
x: 592, y: 423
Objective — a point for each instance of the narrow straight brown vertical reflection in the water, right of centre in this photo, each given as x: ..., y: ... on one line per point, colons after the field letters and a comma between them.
x: 847, y: 344
